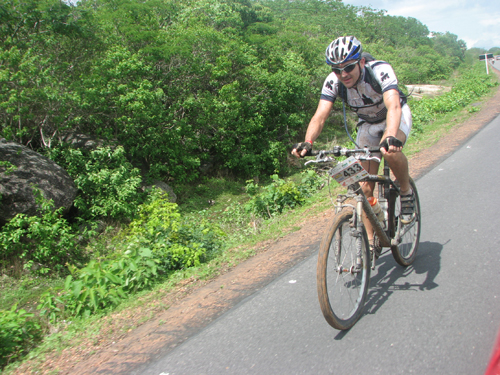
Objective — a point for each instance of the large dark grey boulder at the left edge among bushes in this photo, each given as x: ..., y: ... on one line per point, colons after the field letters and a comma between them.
x: 31, y: 169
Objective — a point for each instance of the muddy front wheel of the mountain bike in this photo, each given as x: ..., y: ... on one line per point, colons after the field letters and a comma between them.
x: 343, y: 272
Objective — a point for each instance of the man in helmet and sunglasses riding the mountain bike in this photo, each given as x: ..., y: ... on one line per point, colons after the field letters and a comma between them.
x: 370, y: 88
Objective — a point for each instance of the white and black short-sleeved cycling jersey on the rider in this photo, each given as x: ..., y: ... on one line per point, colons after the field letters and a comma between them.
x: 364, y: 99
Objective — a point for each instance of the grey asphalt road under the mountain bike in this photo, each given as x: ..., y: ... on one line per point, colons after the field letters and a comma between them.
x: 439, y: 316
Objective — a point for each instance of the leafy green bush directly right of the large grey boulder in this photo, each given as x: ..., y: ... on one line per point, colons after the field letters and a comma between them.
x: 108, y: 185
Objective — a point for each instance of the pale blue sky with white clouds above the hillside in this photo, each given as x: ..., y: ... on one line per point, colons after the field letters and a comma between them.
x: 476, y: 22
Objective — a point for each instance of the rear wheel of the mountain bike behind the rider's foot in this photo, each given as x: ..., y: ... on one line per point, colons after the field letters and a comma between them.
x: 406, y: 252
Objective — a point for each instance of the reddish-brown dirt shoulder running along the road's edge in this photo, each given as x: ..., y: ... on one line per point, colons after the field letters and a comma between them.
x: 193, y: 306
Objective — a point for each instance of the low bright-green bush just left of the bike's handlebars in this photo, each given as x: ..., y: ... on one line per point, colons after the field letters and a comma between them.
x: 280, y: 194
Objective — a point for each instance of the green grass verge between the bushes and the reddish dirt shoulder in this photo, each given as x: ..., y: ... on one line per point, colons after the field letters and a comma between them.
x: 220, y: 198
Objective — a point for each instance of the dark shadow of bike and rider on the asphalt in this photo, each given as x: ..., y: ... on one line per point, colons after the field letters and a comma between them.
x: 389, y: 277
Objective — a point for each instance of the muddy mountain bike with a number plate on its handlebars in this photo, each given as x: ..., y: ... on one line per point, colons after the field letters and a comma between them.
x: 345, y: 256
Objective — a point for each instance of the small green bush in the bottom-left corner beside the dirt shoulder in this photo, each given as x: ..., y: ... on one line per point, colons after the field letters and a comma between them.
x: 19, y: 332
